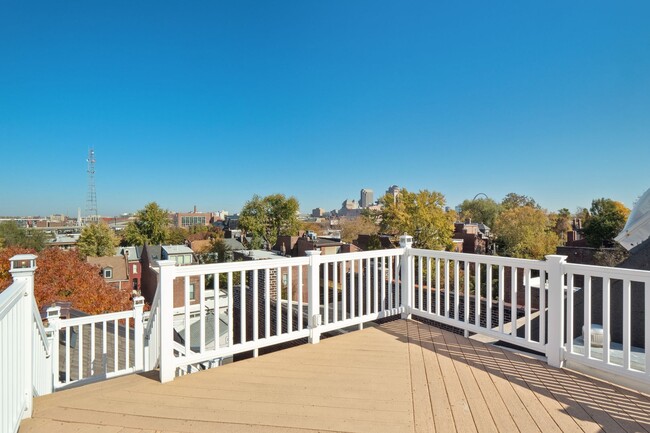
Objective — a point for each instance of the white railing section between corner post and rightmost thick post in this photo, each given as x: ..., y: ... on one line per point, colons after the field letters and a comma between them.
x: 488, y: 295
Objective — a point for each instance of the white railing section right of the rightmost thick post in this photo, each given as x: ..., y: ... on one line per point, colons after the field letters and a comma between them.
x: 614, y: 315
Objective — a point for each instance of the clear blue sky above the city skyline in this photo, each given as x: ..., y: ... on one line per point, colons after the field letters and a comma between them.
x: 207, y: 103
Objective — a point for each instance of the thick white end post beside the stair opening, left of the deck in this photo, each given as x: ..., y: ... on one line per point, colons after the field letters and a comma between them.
x: 166, y: 319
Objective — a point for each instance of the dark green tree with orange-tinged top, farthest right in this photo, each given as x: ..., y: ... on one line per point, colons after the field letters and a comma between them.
x: 606, y: 220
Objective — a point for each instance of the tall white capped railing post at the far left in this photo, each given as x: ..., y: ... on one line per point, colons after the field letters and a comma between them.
x: 22, y: 268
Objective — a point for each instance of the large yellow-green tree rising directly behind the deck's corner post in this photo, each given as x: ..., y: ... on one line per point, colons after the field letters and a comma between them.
x: 421, y: 215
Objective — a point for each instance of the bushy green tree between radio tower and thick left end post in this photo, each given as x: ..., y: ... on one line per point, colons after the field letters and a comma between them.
x: 150, y: 226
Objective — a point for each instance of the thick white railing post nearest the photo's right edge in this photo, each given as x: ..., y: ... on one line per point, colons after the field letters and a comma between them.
x: 555, y: 321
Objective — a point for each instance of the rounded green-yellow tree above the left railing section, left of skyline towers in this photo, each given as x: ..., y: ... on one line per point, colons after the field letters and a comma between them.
x: 267, y: 218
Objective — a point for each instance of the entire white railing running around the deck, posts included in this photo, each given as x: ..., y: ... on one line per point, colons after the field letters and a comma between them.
x: 203, y: 315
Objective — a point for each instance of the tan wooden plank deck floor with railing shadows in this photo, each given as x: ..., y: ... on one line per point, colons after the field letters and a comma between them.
x: 399, y: 377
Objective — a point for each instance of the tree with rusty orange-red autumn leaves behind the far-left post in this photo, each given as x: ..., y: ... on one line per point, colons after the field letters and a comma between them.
x: 63, y: 276
